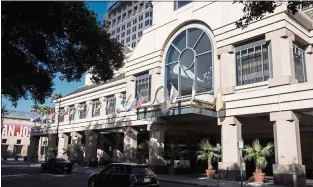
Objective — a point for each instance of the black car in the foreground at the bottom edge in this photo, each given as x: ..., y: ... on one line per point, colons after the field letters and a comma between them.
x: 124, y: 175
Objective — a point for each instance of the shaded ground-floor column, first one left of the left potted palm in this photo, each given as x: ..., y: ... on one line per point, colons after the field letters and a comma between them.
x: 156, y: 145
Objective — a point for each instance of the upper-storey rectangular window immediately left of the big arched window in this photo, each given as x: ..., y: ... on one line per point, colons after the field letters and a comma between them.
x: 143, y: 86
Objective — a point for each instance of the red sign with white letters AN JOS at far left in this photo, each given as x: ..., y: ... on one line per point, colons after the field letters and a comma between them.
x: 16, y: 130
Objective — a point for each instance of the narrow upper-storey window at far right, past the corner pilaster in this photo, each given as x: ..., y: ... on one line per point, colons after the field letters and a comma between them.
x: 299, y: 63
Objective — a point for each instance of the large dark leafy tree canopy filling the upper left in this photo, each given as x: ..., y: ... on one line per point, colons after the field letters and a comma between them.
x: 41, y: 39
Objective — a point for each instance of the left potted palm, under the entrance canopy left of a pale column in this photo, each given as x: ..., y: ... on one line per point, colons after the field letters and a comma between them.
x: 209, y: 153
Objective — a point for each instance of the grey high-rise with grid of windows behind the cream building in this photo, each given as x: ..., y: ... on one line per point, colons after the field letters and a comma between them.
x: 128, y: 19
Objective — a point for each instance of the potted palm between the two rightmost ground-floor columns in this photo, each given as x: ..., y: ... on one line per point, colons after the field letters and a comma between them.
x: 259, y: 154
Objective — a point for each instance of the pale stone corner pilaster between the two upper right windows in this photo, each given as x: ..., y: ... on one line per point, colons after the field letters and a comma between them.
x: 283, y: 72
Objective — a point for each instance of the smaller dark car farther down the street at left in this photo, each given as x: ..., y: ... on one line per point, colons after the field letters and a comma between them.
x: 57, y: 165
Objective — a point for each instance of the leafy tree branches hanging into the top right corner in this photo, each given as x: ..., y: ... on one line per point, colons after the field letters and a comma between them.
x: 256, y: 10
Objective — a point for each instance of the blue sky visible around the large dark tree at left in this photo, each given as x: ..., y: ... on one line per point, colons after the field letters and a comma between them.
x: 100, y: 7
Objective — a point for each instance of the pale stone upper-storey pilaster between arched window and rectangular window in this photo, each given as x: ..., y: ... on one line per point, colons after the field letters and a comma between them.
x: 228, y: 67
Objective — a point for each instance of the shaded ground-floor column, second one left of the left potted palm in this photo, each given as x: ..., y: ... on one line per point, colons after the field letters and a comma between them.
x: 130, y: 144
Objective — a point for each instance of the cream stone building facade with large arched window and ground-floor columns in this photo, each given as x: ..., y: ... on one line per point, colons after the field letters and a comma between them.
x: 263, y: 72
